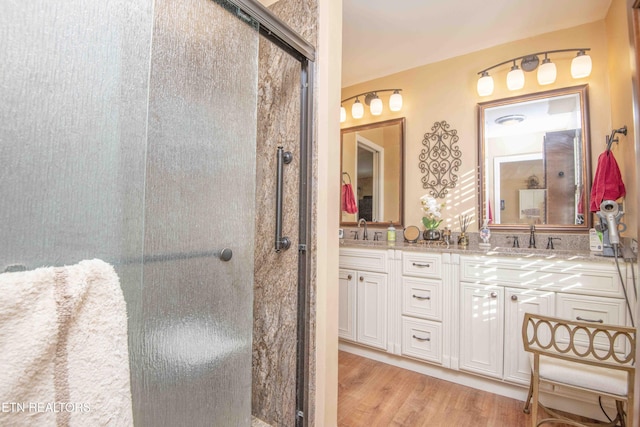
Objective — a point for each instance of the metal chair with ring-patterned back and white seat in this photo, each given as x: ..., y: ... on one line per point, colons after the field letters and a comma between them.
x: 593, y: 357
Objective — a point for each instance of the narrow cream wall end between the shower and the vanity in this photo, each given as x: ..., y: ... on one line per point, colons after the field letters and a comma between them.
x: 325, y: 228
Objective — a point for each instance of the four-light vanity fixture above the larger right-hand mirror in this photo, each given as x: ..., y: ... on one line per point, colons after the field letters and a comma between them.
x: 547, y: 72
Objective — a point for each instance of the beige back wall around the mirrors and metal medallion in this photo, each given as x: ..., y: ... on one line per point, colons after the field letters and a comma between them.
x: 447, y: 91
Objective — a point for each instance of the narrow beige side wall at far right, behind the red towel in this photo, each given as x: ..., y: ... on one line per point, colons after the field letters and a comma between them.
x: 621, y: 89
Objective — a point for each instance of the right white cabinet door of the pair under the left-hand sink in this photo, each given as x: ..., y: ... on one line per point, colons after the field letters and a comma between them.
x: 371, y: 324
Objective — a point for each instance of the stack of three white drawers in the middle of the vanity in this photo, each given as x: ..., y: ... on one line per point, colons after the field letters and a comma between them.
x: 422, y: 306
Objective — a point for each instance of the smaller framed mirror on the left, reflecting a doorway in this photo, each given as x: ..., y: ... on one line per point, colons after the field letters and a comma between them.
x: 372, y: 173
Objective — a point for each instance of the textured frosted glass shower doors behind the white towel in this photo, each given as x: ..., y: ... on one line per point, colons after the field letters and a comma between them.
x: 128, y: 132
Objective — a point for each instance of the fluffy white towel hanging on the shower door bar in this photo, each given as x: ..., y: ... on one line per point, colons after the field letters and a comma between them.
x: 63, y: 347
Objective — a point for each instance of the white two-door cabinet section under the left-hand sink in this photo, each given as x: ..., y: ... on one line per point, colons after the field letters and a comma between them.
x: 363, y: 297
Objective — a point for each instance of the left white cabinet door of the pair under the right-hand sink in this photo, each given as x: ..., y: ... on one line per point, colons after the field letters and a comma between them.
x: 481, y: 335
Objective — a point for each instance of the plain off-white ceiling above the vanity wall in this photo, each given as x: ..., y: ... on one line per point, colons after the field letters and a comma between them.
x: 382, y: 37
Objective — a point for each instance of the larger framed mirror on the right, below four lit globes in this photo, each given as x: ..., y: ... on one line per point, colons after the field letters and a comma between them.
x: 534, y: 161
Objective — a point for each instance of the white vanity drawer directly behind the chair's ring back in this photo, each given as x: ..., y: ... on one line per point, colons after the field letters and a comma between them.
x: 608, y: 311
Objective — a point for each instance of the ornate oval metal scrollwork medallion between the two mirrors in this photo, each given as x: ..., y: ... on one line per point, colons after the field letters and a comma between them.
x: 440, y: 159
